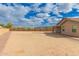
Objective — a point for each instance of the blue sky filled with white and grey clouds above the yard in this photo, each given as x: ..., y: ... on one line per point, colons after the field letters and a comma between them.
x: 37, y: 14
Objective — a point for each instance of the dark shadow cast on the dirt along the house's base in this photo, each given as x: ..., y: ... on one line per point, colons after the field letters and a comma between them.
x: 59, y: 35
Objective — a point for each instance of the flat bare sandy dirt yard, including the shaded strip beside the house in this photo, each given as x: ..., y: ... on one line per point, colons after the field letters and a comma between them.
x: 39, y: 43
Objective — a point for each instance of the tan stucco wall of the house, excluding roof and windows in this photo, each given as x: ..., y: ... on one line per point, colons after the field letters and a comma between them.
x: 68, y: 28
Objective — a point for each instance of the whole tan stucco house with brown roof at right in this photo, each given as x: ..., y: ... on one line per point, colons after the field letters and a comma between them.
x: 68, y: 26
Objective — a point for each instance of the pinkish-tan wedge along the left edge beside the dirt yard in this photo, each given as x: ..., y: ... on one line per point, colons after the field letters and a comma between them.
x: 4, y: 36
